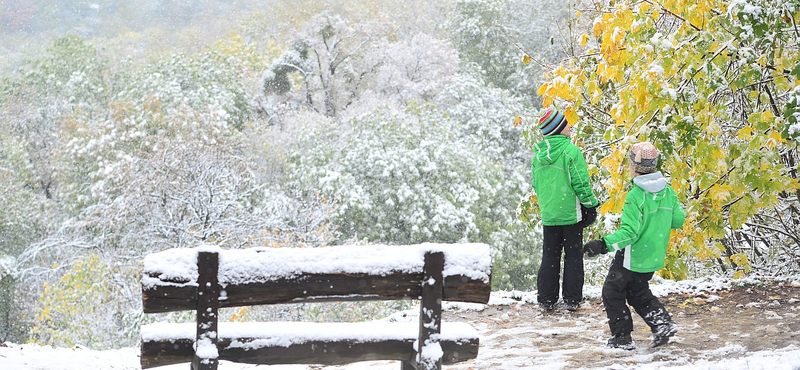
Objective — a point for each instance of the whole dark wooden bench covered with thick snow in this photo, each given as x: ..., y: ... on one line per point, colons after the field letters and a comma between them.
x: 207, y: 278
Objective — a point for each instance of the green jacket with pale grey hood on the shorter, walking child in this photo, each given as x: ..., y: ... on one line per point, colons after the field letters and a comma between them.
x: 651, y: 210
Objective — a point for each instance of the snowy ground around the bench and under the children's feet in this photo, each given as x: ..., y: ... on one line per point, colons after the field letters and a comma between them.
x: 515, y: 335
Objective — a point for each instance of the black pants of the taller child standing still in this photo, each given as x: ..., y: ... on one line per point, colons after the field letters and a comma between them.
x: 569, y: 240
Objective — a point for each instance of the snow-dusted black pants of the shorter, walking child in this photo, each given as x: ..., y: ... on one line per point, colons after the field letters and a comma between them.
x: 623, y: 285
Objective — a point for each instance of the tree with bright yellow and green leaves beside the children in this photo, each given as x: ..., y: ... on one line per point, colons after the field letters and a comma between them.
x: 711, y: 83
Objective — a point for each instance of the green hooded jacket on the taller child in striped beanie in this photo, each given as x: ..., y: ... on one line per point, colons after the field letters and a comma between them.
x: 561, y: 181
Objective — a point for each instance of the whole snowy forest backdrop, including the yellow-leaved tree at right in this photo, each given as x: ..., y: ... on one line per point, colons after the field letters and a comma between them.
x: 129, y: 127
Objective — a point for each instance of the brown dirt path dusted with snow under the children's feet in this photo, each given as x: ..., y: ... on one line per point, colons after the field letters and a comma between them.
x: 726, y: 324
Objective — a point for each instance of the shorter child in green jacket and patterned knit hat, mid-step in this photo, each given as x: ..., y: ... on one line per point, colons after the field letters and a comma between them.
x: 651, y: 210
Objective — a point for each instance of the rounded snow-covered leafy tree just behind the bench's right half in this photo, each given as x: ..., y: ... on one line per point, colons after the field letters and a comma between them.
x: 401, y: 178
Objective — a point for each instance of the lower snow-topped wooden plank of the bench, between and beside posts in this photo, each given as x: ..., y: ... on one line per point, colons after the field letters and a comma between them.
x: 273, y: 343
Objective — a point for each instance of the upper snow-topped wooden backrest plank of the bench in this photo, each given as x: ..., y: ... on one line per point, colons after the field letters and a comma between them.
x: 344, y: 273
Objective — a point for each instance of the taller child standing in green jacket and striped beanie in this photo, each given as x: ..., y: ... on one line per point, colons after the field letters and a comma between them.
x: 567, y: 204
